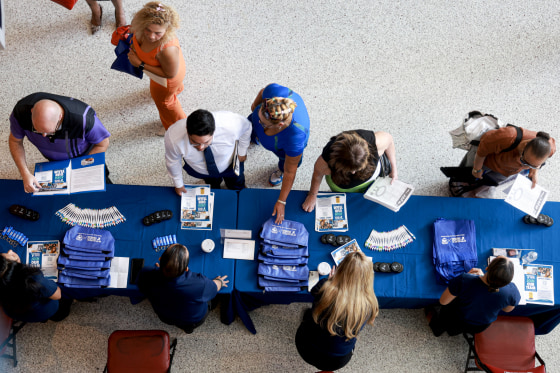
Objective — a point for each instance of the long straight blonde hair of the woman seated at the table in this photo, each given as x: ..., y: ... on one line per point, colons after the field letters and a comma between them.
x: 347, y: 300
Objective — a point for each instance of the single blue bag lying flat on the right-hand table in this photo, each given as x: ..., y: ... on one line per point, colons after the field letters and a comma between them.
x: 454, y: 249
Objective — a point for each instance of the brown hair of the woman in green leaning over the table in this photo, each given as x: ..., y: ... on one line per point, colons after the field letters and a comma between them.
x: 350, y: 153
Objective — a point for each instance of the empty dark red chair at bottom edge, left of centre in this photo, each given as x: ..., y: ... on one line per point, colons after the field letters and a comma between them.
x: 139, y: 351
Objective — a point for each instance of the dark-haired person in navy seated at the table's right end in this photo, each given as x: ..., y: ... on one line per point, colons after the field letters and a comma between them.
x: 473, y: 300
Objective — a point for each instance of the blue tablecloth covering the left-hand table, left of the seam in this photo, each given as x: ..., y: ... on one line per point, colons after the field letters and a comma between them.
x: 132, y: 238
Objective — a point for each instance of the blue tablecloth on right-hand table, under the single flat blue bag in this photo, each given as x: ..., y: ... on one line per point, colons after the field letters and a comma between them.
x: 497, y: 225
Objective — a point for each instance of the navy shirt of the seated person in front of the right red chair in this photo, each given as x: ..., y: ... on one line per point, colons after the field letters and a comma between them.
x: 479, y: 306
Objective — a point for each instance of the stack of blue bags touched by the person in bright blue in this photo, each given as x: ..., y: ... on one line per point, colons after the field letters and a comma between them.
x: 283, y: 256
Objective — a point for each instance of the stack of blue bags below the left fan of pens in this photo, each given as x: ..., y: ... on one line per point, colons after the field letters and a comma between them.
x: 85, y: 260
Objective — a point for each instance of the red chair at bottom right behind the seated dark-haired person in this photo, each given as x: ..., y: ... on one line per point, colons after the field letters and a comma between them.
x: 508, y: 345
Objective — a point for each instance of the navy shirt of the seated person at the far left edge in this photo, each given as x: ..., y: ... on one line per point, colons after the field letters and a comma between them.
x: 43, y: 308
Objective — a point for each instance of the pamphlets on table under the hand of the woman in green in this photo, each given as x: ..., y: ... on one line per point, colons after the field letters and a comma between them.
x: 330, y: 213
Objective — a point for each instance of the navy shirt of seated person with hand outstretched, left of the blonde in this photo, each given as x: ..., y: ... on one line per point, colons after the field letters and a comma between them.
x: 178, y: 301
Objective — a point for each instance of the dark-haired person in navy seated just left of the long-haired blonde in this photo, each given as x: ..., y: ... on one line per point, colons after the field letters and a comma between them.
x: 178, y: 296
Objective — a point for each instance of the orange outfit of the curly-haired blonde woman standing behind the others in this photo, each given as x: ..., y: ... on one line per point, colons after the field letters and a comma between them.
x: 165, y: 98
